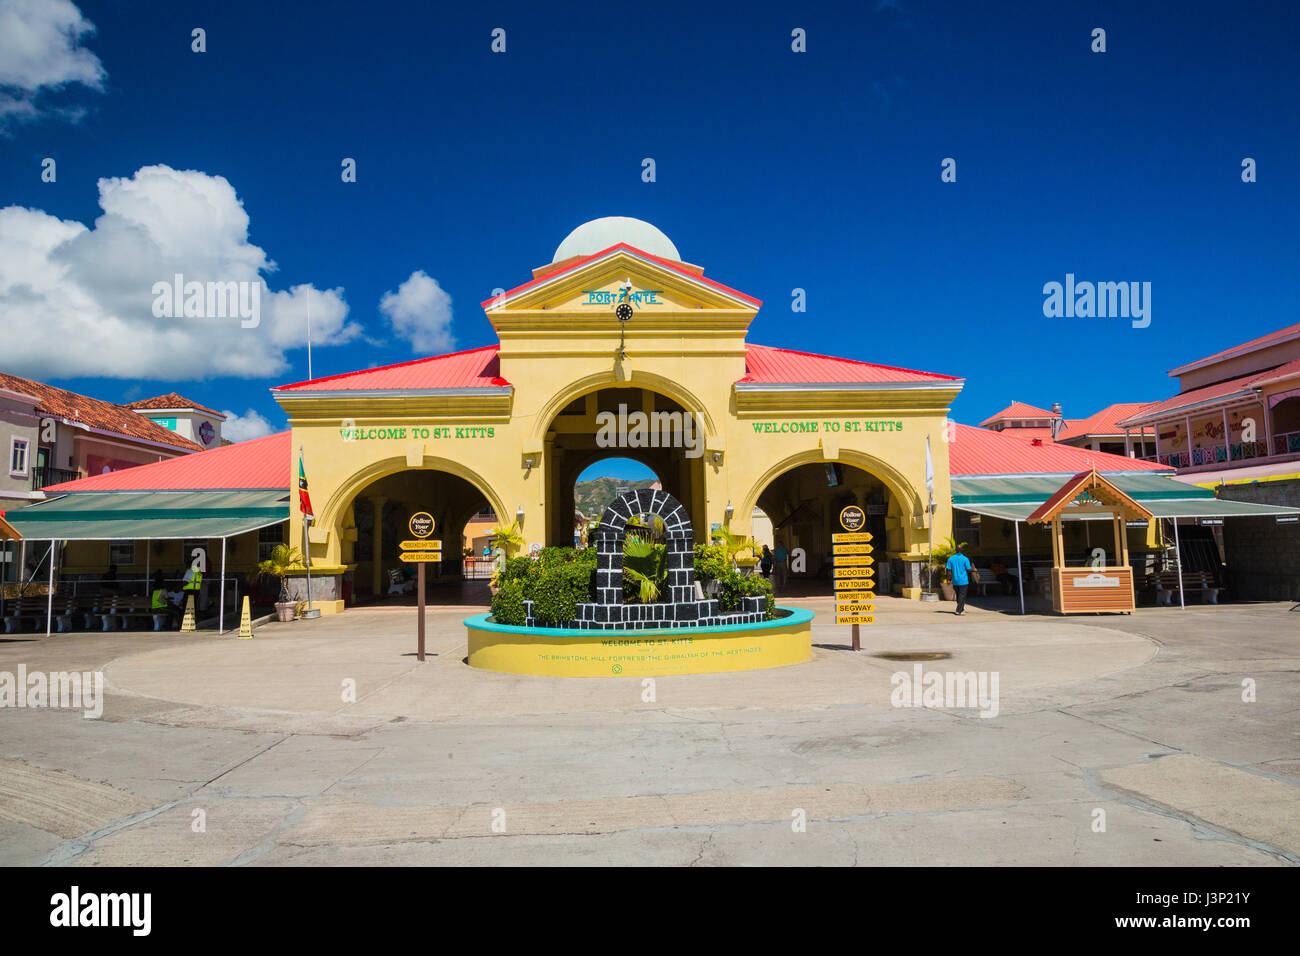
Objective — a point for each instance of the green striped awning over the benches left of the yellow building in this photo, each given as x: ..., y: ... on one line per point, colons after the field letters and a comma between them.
x: 137, y: 516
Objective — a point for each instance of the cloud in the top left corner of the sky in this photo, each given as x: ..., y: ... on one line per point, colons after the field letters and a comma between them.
x: 41, y: 50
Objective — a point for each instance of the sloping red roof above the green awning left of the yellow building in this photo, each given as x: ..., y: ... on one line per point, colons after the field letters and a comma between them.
x: 257, y: 464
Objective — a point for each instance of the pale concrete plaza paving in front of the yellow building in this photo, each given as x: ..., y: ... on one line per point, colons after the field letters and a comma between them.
x: 1134, y: 723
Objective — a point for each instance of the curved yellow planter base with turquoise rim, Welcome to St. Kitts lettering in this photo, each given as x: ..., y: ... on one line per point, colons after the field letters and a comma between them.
x: 558, y: 652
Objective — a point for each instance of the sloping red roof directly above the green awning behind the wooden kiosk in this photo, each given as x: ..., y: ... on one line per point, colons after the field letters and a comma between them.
x: 982, y: 452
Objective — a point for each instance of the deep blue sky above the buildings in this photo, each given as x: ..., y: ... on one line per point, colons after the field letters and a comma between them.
x: 774, y: 171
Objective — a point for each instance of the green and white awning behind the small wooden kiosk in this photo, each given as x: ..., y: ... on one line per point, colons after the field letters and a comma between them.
x: 1016, y: 499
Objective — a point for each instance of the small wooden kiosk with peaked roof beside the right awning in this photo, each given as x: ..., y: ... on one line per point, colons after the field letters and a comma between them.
x: 1091, y: 590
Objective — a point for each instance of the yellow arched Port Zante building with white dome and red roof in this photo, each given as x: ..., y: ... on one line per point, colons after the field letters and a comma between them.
x: 618, y: 348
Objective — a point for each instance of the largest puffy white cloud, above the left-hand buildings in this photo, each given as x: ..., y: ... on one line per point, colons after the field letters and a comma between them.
x: 79, y: 301
